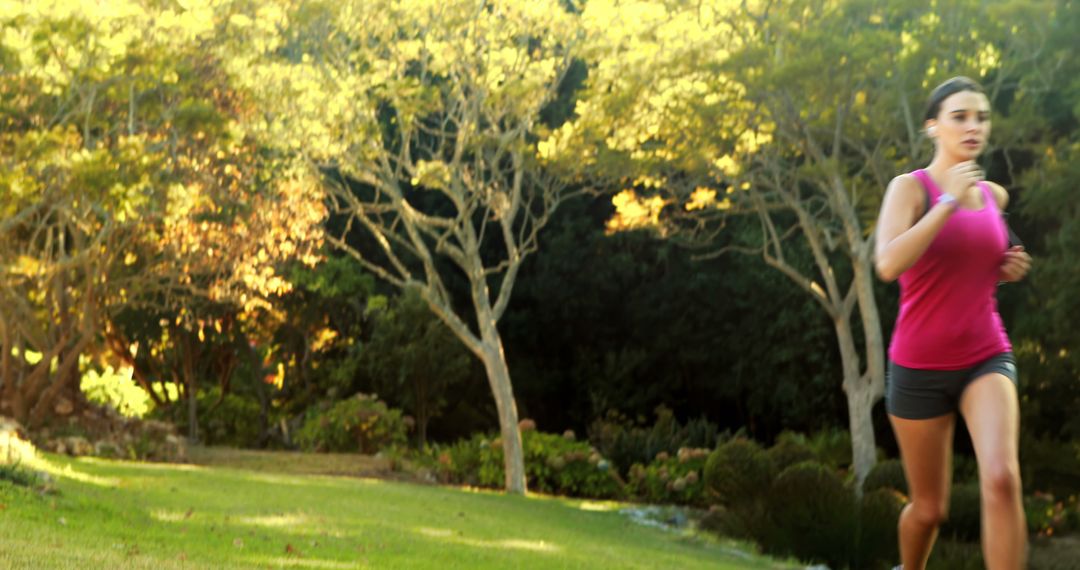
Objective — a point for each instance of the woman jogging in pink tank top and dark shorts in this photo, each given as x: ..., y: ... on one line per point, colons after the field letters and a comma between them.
x: 942, y: 235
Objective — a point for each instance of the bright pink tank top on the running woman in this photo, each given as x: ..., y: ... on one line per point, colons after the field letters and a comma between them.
x: 949, y: 310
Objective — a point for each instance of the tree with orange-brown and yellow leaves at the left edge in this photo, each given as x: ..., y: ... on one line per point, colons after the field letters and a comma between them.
x: 124, y: 188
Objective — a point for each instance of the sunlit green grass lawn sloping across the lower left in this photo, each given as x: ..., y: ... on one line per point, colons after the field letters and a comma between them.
x: 111, y: 514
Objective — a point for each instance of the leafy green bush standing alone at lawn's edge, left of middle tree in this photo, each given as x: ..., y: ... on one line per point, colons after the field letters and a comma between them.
x: 361, y: 424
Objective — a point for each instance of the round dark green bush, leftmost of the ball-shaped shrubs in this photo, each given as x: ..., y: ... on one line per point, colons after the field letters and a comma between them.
x: 738, y: 472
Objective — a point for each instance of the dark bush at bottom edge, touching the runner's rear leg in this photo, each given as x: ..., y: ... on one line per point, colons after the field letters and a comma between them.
x: 879, y: 517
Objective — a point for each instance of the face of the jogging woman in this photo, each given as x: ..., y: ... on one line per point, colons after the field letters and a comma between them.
x: 963, y: 126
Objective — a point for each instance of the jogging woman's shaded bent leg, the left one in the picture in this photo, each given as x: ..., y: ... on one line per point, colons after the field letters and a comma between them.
x: 926, y: 449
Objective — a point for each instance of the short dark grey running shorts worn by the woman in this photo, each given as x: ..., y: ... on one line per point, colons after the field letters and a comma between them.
x: 921, y: 395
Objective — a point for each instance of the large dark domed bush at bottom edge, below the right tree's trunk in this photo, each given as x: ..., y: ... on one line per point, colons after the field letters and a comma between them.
x: 815, y: 515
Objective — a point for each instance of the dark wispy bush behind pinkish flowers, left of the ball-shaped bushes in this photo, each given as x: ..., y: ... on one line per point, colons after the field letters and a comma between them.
x: 628, y: 443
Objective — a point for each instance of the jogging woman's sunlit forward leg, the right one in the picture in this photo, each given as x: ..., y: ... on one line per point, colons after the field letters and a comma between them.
x: 992, y: 412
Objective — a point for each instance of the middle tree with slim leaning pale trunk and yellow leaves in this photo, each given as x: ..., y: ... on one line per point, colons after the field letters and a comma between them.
x: 425, y: 117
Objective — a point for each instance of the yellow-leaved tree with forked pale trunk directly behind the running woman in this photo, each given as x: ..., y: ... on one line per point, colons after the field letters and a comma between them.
x: 796, y: 114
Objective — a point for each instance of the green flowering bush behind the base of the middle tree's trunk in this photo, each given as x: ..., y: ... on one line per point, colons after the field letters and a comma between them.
x: 553, y: 465
